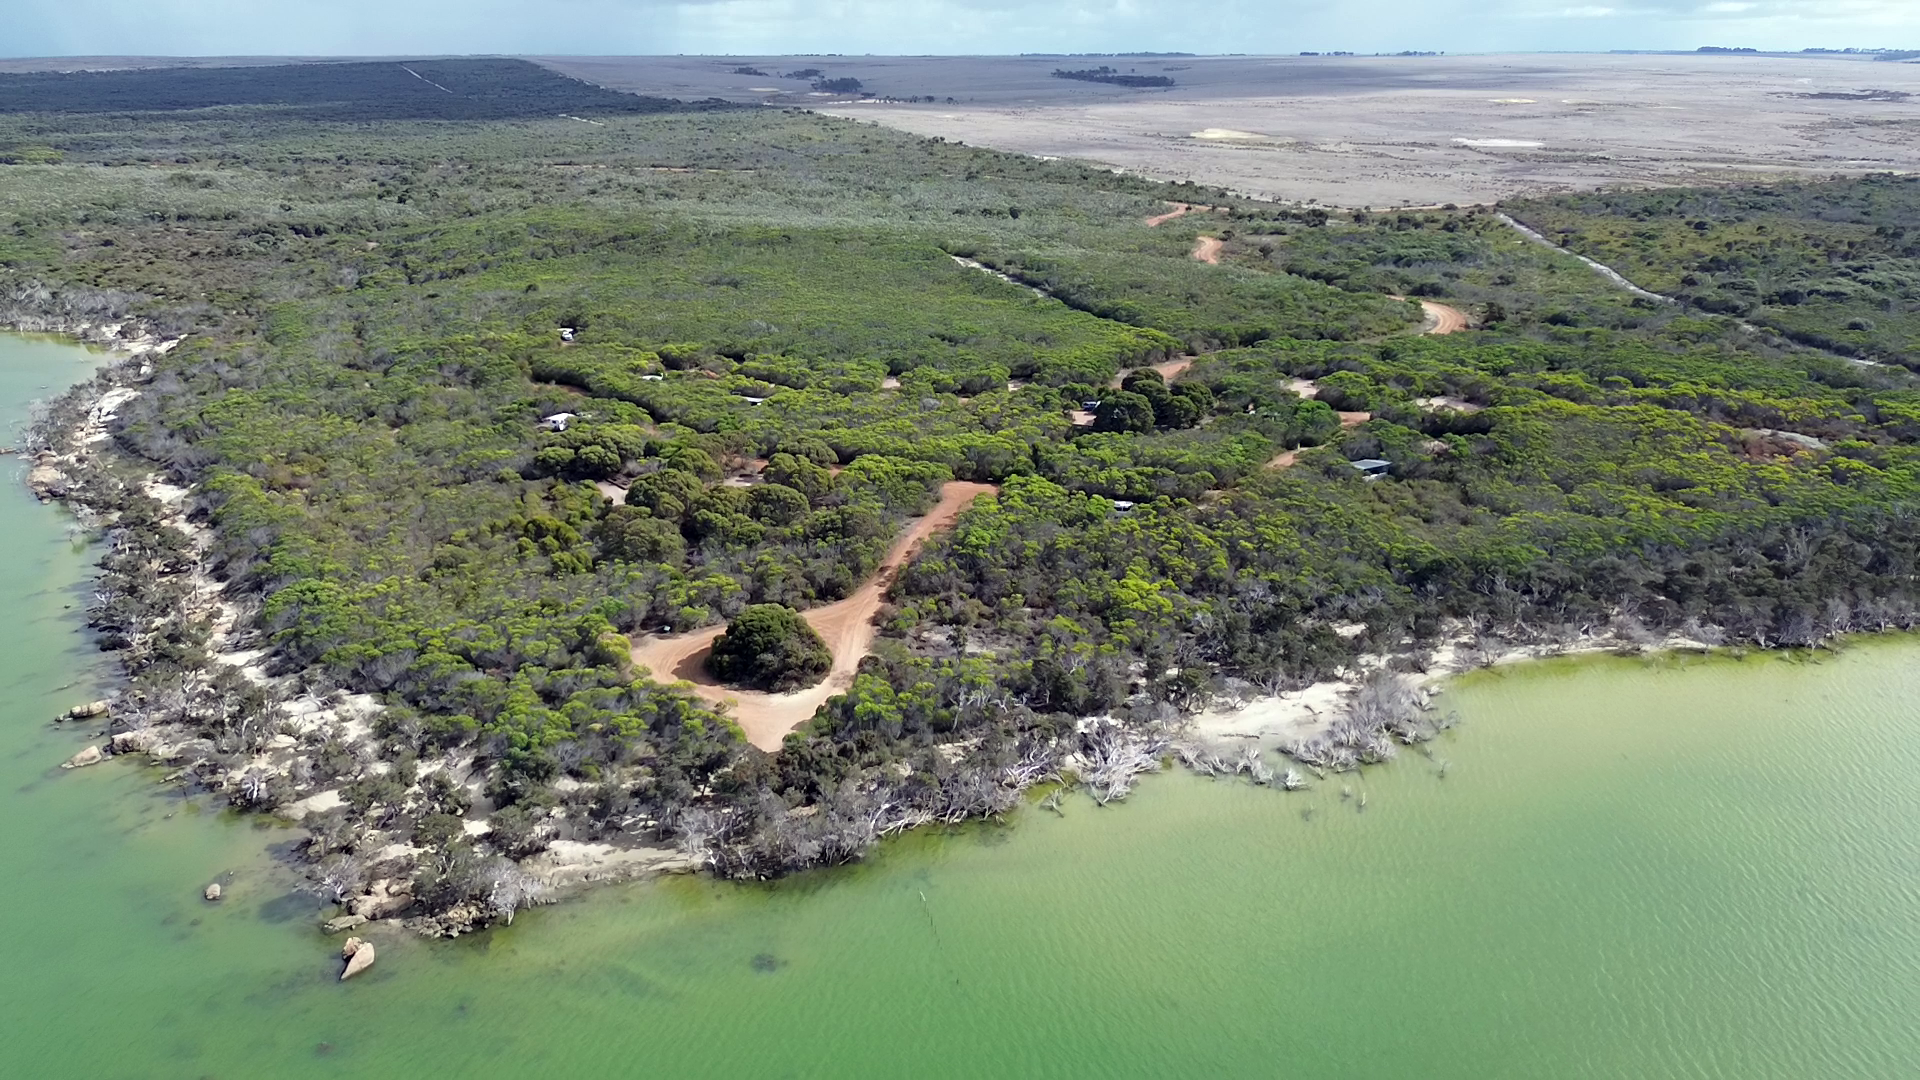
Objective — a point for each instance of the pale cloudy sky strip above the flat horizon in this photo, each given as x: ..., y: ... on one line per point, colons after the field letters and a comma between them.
x: 600, y: 28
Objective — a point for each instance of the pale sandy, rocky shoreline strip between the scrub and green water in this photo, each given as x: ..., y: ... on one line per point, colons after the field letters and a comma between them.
x: 1105, y: 756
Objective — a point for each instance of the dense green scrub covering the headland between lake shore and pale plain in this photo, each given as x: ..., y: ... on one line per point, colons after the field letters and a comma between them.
x: 761, y: 356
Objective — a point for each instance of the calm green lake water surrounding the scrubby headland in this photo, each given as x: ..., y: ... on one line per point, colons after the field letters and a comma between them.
x: 1627, y: 870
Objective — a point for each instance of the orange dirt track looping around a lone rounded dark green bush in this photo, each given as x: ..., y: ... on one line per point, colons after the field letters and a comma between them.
x: 848, y: 627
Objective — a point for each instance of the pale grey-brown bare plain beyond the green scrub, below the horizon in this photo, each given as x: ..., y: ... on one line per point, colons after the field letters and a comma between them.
x: 1470, y: 130
